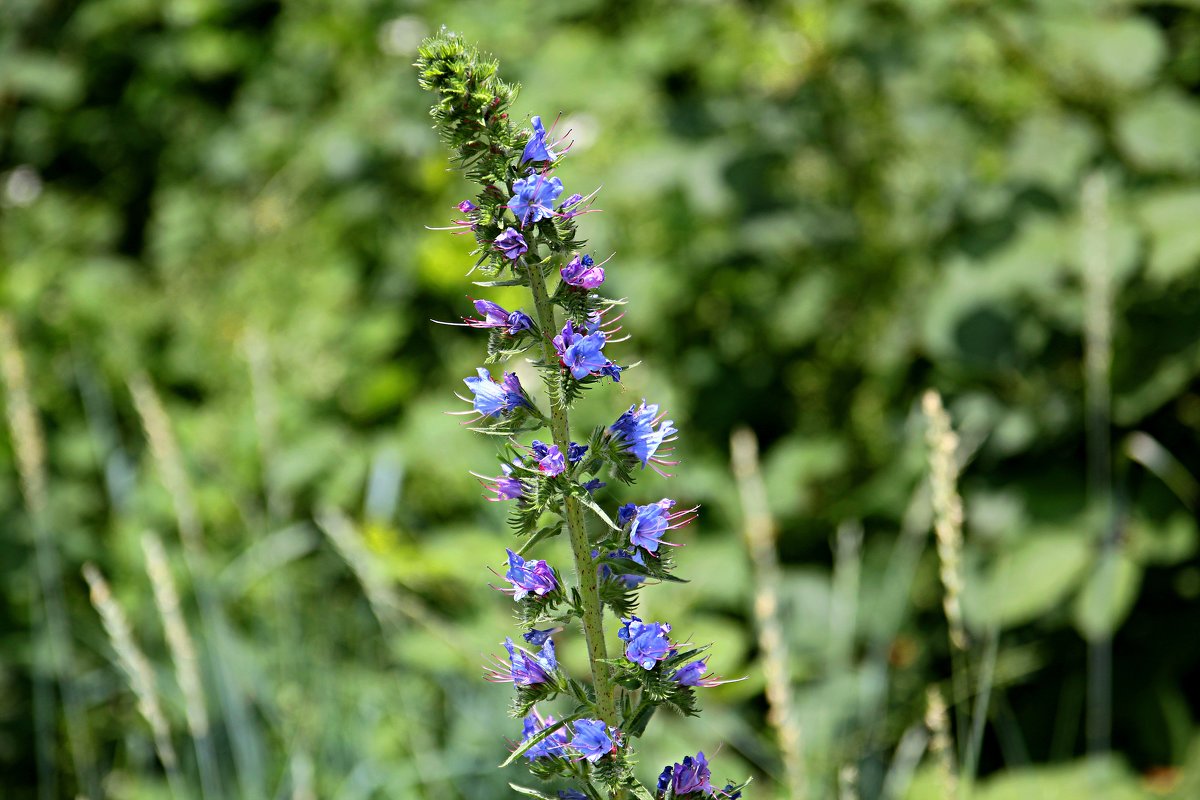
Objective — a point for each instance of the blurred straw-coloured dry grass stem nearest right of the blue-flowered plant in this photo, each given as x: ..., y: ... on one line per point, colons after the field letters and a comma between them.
x: 759, y: 528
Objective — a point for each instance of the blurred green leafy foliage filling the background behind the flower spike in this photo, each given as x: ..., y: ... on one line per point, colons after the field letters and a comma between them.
x: 818, y: 209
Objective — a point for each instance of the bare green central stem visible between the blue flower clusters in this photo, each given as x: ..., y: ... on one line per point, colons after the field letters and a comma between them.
x: 590, y: 592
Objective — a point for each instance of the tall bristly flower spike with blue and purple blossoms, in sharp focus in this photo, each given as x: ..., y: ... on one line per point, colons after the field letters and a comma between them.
x: 525, y: 237
